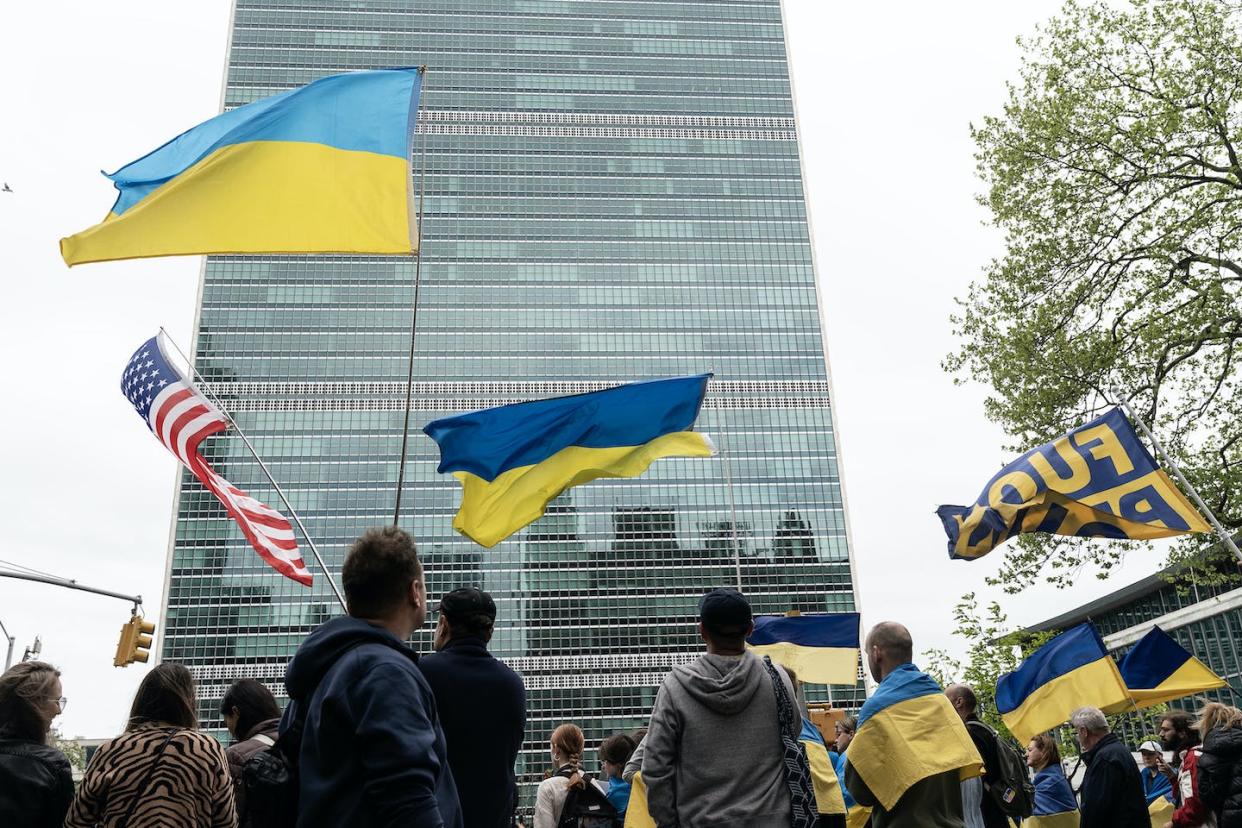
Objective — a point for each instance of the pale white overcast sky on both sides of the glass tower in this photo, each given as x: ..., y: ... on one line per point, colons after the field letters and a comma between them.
x: 886, y: 94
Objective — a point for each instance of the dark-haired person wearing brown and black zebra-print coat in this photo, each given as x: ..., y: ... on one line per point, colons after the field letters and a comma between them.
x: 162, y: 772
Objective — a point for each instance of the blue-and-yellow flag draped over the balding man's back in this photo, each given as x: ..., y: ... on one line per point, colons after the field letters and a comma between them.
x: 907, y: 733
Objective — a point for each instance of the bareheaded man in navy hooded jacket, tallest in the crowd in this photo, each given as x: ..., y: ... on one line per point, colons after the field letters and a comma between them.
x: 373, y: 752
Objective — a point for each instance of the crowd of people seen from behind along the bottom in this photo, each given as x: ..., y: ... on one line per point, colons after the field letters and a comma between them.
x: 376, y: 736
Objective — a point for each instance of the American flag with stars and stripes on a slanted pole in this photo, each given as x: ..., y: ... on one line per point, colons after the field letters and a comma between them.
x: 182, y: 418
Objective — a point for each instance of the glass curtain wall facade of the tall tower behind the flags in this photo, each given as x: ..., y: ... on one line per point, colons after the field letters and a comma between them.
x: 613, y: 193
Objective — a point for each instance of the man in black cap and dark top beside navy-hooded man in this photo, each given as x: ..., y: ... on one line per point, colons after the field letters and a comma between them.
x: 483, y: 708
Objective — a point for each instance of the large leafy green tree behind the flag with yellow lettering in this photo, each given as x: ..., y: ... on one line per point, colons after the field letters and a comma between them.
x: 1115, y: 174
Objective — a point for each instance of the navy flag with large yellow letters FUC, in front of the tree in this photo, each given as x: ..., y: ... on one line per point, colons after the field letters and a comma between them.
x: 1099, y: 481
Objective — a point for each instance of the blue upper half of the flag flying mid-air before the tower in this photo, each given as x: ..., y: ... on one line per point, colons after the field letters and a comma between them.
x: 487, y: 444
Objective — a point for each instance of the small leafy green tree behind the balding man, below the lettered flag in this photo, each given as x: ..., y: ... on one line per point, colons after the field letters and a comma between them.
x: 993, y: 650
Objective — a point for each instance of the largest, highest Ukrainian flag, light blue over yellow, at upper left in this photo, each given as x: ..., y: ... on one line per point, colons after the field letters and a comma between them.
x: 321, y: 169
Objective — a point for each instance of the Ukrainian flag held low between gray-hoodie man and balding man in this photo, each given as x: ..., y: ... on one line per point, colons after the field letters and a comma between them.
x: 820, y: 649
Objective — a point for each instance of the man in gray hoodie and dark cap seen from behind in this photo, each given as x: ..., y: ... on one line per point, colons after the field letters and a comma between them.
x: 714, y: 754
